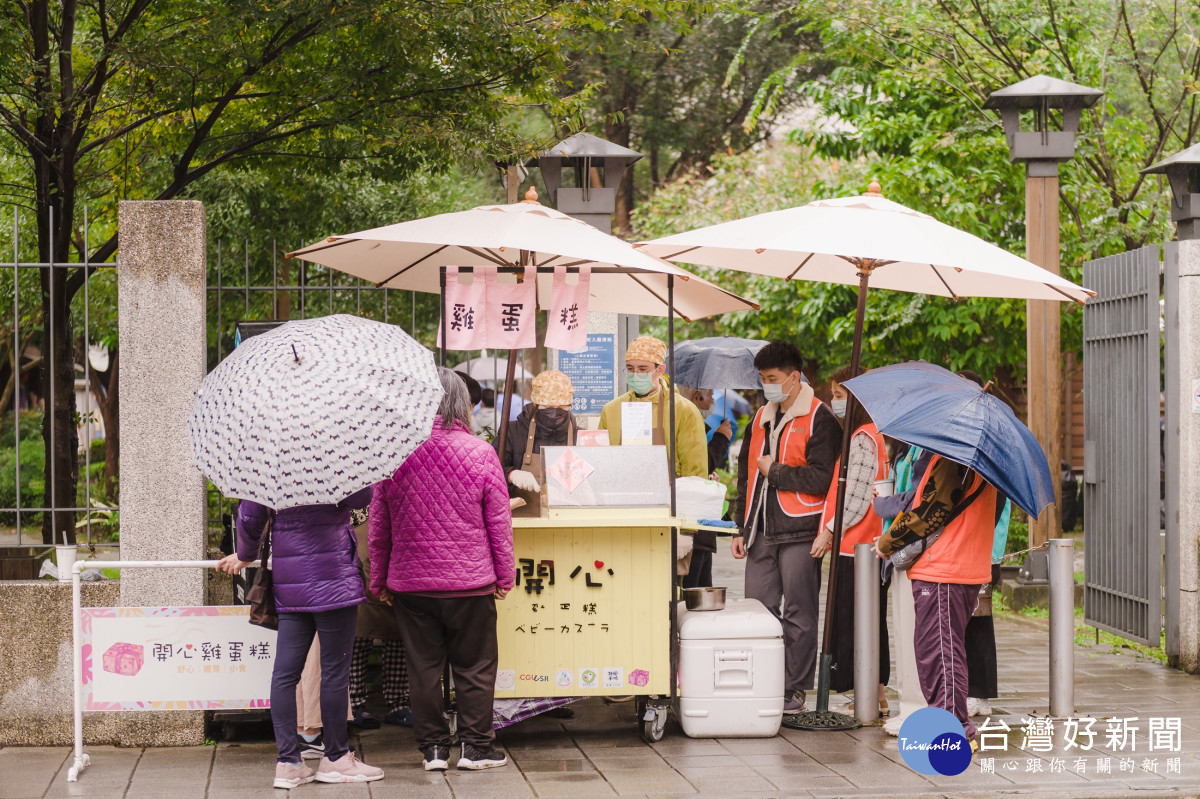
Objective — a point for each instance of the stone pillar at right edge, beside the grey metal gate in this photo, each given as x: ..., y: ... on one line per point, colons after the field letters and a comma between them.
x: 1185, y: 363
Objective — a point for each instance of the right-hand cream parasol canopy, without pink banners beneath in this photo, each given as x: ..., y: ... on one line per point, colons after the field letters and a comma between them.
x: 823, y: 242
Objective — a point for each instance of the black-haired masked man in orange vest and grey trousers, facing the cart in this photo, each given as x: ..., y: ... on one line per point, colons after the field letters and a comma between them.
x: 785, y: 470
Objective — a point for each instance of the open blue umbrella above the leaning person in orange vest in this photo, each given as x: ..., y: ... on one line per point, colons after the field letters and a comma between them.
x: 935, y: 410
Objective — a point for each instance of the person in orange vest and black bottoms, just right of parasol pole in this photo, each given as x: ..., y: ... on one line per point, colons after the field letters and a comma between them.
x: 861, y: 525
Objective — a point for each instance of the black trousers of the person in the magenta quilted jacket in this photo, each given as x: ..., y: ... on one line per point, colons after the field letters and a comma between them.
x: 463, y: 632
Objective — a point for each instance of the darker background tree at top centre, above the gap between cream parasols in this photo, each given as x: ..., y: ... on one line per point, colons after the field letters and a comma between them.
x: 680, y: 81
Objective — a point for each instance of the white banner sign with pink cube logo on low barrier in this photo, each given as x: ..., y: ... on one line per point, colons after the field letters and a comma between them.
x: 176, y: 659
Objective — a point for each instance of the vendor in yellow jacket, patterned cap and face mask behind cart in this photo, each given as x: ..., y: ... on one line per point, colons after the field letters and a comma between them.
x: 645, y: 375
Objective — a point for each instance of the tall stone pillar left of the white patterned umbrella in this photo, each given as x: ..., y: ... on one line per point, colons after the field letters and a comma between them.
x: 161, y: 279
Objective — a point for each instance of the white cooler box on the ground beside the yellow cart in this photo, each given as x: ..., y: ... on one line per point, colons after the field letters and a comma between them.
x: 731, y: 671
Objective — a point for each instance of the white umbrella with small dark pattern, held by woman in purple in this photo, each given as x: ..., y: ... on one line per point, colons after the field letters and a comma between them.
x: 314, y: 411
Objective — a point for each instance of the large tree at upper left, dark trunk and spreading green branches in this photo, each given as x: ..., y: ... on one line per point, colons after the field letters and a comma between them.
x: 142, y: 99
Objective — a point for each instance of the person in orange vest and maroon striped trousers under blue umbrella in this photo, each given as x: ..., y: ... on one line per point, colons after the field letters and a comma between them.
x: 947, y: 576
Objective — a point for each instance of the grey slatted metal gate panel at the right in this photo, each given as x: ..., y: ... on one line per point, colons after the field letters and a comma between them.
x: 1123, y: 370
